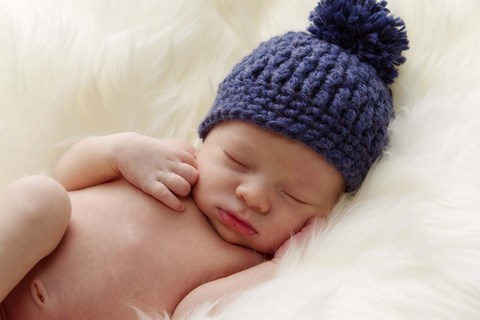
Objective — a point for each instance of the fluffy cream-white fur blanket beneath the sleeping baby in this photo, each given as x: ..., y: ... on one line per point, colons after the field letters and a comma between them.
x: 407, y: 246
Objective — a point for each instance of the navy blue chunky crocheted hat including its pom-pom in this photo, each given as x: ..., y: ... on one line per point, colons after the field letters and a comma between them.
x: 327, y: 88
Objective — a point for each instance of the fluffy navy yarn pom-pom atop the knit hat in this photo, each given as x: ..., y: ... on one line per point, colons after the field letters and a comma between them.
x: 363, y: 28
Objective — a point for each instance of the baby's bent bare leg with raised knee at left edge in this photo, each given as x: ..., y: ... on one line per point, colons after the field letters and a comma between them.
x: 34, y: 214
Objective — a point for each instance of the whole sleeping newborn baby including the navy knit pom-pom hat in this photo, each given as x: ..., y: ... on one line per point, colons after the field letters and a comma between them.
x: 138, y: 222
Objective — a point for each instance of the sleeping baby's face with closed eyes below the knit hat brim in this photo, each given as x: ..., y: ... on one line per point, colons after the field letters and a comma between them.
x: 258, y: 188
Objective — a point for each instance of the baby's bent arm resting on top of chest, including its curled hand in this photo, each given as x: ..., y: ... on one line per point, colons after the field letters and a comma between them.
x: 161, y: 168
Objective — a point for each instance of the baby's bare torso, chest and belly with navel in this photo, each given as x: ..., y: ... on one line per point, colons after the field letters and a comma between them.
x: 114, y: 256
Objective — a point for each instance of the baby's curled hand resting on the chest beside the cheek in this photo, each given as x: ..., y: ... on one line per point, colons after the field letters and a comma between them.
x: 163, y: 169
